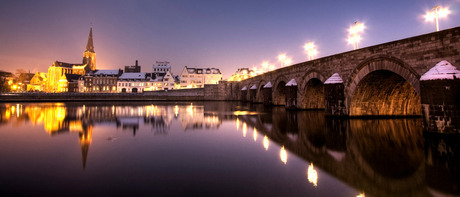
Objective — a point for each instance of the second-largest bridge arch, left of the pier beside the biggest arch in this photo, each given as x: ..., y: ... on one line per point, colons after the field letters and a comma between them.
x: 311, y: 91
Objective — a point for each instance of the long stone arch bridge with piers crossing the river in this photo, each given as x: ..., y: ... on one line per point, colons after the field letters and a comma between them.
x: 380, y: 80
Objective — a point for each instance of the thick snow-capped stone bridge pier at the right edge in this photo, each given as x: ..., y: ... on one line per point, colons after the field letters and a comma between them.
x: 440, y: 98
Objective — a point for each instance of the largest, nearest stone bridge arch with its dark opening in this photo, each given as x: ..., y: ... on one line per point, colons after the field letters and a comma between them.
x: 383, y: 86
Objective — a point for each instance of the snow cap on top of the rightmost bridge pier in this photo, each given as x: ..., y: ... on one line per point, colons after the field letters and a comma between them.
x: 442, y: 70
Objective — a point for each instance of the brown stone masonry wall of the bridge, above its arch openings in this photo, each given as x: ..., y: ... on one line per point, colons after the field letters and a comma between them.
x: 410, y: 58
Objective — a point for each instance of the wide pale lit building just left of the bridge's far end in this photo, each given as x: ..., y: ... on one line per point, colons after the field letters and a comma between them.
x: 197, y: 77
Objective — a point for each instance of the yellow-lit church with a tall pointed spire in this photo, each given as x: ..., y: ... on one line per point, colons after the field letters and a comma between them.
x: 58, y: 71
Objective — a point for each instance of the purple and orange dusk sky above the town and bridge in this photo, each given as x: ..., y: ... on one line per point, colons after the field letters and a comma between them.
x: 200, y: 33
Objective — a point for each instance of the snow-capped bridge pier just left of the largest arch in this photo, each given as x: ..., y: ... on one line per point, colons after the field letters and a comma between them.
x: 334, y: 96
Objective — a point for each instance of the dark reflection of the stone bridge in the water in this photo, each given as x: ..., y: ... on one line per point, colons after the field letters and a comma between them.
x: 383, y: 157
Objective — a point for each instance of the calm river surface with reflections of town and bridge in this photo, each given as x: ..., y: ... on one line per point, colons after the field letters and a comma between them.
x: 216, y: 149
